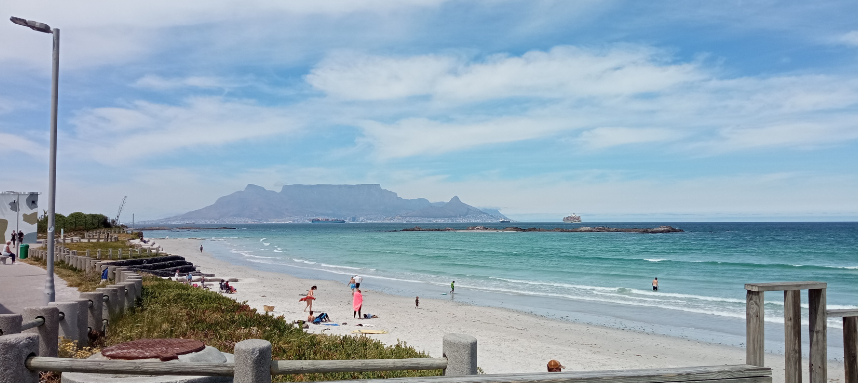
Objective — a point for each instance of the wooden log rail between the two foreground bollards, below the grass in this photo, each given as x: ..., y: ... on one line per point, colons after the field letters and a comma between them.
x: 282, y: 367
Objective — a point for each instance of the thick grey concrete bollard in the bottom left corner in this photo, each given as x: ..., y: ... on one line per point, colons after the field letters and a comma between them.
x: 14, y: 351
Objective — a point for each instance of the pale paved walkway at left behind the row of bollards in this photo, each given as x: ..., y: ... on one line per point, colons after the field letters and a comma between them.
x: 23, y: 285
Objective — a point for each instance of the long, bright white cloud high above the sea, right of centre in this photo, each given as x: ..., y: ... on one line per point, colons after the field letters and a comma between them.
x: 563, y: 71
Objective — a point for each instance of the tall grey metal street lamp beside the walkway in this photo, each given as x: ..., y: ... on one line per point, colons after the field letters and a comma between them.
x: 50, y: 294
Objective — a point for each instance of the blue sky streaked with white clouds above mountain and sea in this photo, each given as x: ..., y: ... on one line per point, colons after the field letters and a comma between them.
x: 614, y: 110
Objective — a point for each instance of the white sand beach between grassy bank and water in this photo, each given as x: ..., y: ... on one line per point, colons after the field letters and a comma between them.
x: 508, y: 341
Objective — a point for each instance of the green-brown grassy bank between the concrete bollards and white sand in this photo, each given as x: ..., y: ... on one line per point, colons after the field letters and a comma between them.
x: 174, y: 310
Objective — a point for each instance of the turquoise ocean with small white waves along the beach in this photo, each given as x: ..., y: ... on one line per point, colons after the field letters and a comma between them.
x: 595, y: 278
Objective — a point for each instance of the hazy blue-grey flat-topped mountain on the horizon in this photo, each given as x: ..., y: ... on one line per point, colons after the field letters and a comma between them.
x: 352, y: 203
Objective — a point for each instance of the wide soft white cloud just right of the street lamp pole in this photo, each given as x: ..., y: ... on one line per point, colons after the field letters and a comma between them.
x: 144, y: 129
